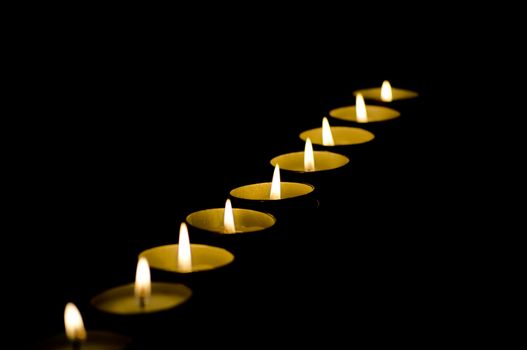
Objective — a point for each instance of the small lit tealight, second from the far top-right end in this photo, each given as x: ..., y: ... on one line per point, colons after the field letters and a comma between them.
x: 362, y: 113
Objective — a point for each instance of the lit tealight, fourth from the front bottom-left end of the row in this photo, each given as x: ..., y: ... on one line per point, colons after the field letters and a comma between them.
x: 230, y: 220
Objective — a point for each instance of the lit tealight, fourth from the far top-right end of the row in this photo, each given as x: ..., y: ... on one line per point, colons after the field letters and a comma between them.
x: 309, y: 160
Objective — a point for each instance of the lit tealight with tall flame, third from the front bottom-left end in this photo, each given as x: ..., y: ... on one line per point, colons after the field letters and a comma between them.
x: 185, y: 257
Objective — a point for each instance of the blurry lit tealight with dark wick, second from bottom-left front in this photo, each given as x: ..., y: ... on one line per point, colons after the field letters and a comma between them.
x: 143, y: 296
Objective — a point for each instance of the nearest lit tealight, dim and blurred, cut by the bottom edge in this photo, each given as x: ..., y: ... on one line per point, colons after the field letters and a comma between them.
x: 76, y: 337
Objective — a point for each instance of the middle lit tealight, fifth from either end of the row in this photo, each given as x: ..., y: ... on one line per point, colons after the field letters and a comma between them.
x: 276, y: 196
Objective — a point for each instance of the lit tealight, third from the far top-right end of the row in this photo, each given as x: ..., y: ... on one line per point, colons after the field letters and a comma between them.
x: 337, y: 135
